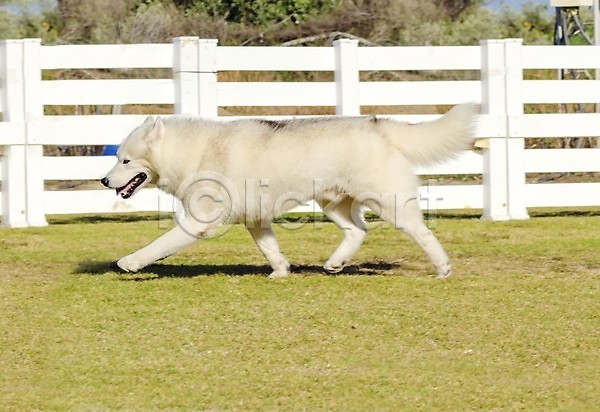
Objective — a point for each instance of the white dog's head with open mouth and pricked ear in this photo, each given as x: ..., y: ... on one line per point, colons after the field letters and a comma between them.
x: 134, y: 159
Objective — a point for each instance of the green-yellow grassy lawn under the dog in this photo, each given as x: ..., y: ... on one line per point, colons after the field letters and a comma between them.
x: 516, y: 328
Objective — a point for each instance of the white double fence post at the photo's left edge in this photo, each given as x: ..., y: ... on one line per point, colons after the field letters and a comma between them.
x: 23, y: 183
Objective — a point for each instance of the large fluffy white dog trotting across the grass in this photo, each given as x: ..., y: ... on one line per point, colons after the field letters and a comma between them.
x: 250, y: 171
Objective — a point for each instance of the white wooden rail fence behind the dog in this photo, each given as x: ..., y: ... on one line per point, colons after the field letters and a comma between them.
x: 194, y: 89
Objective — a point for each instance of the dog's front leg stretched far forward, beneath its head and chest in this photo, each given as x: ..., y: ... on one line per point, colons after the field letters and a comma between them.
x: 181, y: 236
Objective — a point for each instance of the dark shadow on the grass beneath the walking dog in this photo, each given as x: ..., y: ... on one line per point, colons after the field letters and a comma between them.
x: 158, y: 271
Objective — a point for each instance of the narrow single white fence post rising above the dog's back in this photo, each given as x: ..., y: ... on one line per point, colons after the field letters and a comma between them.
x: 346, y: 77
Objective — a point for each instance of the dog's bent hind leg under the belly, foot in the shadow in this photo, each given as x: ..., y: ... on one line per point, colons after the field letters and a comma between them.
x: 347, y: 215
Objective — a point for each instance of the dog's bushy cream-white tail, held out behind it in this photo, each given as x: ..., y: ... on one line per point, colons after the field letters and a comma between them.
x: 438, y: 140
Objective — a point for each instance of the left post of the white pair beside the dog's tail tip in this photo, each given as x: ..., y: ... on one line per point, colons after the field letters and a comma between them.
x: 493, y: 102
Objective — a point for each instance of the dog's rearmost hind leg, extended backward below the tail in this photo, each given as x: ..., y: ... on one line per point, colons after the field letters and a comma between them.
x: 406, y: 216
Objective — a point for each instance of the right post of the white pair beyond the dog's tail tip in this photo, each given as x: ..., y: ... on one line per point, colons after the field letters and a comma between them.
x: 515, y: 146
